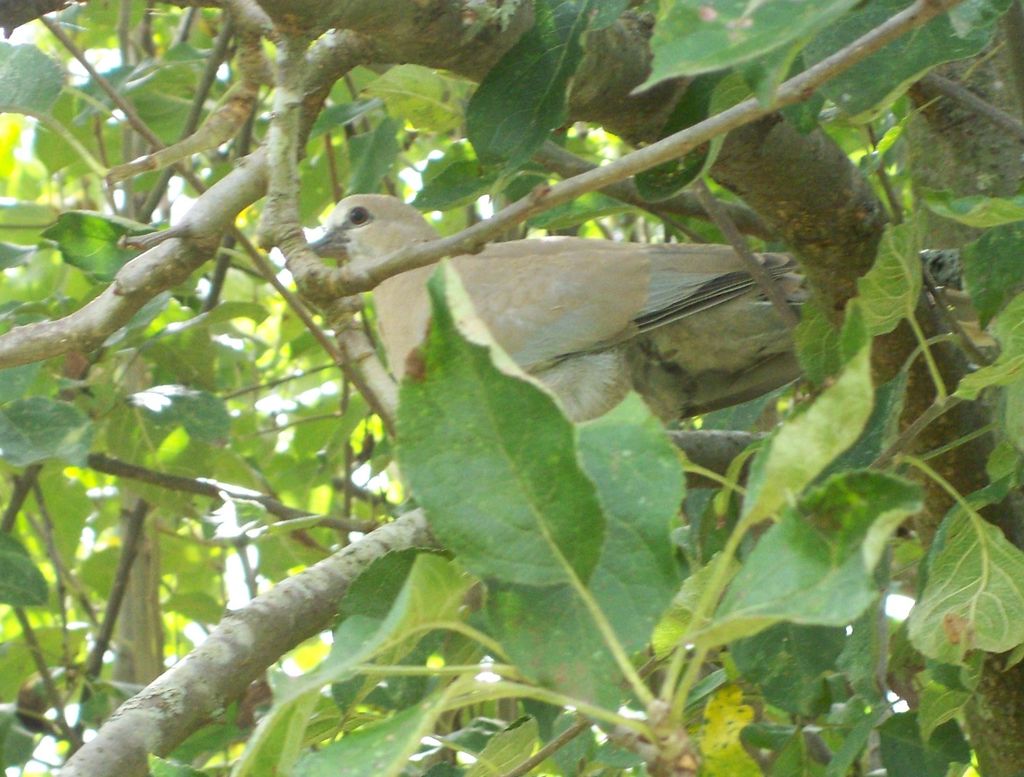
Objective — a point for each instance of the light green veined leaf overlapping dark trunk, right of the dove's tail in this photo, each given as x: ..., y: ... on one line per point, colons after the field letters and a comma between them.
x: 888, y: 293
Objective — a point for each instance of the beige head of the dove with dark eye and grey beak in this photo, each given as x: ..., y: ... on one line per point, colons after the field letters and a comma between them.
x: 367, y: 228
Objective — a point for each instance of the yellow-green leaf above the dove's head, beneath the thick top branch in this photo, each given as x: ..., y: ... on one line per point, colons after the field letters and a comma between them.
x: 423, y: 97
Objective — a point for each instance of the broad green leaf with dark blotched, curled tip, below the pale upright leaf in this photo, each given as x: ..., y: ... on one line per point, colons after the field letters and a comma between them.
x: 815, y: 568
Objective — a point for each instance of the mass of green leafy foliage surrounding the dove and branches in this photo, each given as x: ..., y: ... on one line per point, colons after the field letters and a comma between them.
x: 585, y: 611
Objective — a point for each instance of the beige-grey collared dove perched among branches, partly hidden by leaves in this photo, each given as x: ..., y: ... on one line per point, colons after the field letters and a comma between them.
x: 685, y: 325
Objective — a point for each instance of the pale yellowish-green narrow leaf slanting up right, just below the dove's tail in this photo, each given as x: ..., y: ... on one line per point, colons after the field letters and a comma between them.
x: 805, y: 446
